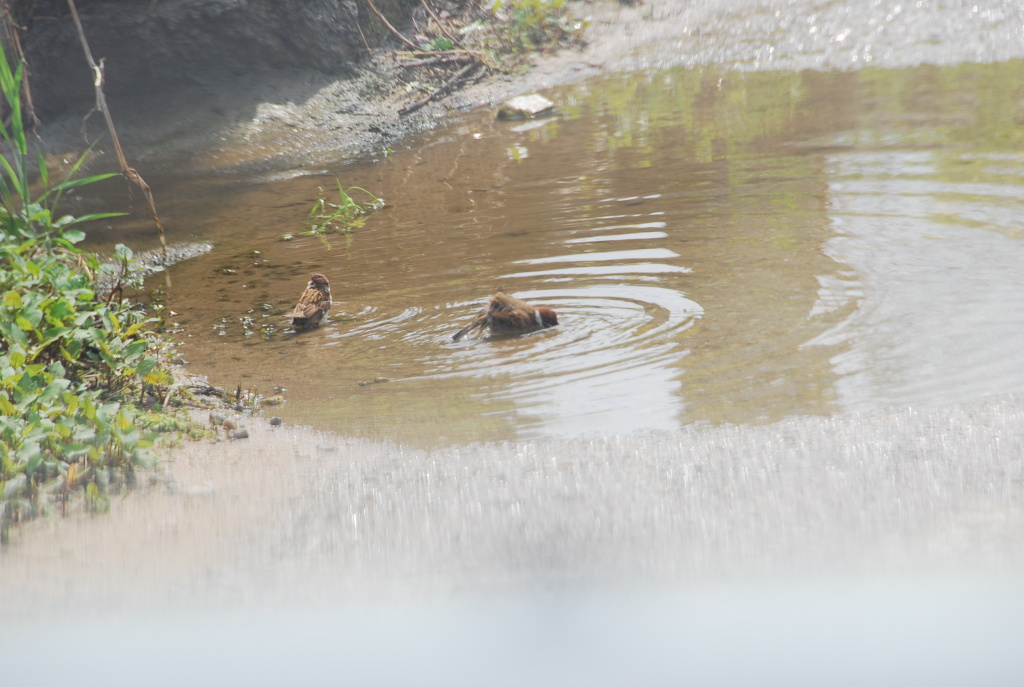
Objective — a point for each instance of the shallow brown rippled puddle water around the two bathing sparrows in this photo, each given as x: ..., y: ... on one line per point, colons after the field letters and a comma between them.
x: 720, y: 247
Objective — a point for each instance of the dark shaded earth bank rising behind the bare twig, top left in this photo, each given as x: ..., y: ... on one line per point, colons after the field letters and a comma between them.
x: 163, y: 47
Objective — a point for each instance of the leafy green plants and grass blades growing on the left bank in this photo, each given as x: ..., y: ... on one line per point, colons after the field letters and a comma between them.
x: 83, y: 374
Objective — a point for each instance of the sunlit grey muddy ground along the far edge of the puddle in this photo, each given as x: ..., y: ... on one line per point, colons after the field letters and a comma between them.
x: 294, y: 116
